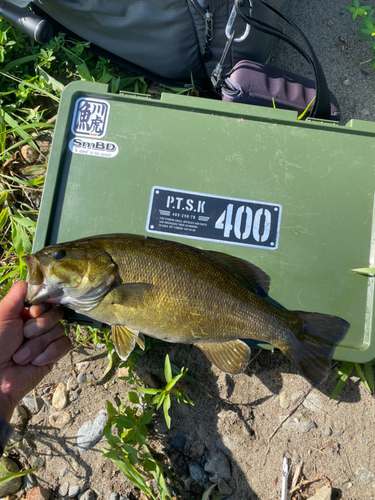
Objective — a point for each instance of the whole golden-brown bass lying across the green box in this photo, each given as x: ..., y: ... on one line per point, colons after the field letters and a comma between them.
x: 177, y: 293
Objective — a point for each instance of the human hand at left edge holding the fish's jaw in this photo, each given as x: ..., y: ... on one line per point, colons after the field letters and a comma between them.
x: 23, y: 364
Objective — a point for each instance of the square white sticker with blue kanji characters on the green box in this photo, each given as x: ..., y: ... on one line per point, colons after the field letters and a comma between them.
x: 90, y: 117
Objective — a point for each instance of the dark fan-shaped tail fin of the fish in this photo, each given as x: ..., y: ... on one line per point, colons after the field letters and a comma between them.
x: 312, y: 347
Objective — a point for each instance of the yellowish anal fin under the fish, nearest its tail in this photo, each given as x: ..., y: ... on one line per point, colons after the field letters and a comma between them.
x: 232, y: 357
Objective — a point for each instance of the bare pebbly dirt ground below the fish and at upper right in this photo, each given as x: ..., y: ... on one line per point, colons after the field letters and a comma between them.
x: 244, y: 417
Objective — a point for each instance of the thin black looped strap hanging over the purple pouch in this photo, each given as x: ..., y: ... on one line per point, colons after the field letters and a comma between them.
x: 322, y: 107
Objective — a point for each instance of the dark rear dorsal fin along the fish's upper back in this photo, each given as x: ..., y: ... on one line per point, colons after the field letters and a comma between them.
x: 250, y: 275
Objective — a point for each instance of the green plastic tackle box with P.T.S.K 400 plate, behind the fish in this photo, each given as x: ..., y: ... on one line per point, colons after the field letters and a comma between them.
x: 294, y: 197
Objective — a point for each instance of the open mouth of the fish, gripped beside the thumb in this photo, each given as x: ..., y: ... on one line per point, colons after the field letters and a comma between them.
x: 38, y: 290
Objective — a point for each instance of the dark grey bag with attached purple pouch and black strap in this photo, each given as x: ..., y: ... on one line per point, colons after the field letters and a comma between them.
x: 175, y: 41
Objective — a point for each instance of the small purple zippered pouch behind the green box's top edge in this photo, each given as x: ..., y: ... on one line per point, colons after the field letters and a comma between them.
x: 253, y: 83
